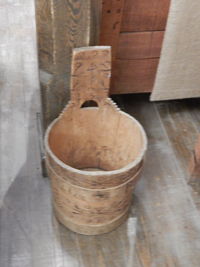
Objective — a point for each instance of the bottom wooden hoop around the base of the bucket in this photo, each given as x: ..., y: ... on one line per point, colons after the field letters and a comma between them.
x: 90, y: 229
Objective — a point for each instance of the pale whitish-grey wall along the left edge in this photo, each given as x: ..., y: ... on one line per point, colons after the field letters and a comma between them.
x: 19, y: 88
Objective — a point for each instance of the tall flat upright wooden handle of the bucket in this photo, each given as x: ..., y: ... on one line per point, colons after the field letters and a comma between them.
x: 90, y: 74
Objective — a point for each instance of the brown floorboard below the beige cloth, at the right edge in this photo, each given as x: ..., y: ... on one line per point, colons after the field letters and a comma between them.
x: 182, y: 128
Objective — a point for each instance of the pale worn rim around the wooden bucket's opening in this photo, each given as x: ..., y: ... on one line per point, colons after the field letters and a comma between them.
x: 127, y: 167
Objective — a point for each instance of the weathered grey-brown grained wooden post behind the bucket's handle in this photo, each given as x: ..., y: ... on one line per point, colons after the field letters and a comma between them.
x: 61, y: 26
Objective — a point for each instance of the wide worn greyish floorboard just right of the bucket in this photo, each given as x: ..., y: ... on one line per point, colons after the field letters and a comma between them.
x: 173, y: 206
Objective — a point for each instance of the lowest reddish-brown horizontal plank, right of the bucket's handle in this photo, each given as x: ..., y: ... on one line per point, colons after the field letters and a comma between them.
x: 133, y: 76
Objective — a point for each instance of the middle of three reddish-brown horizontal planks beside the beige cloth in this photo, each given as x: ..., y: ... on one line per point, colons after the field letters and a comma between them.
x: 140, y: 45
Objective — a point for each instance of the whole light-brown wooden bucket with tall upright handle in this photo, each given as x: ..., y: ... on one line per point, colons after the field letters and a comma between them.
x: 94, y: 155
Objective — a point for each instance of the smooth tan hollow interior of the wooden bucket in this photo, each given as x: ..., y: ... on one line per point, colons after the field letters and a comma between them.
x: 93, y: 139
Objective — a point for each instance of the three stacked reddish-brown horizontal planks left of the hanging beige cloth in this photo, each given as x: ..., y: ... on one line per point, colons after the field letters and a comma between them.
x: 139, y: 47
